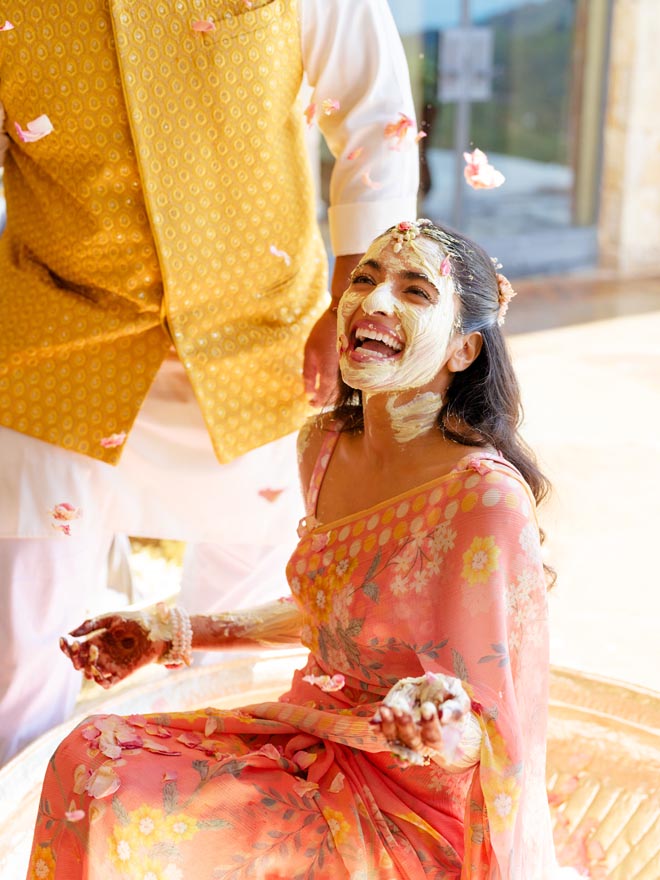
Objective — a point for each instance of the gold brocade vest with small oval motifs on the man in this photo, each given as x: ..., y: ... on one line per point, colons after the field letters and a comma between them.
x: 171, y: 202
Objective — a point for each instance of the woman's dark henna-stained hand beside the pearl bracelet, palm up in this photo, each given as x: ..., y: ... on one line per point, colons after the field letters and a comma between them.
x: 112, y: 648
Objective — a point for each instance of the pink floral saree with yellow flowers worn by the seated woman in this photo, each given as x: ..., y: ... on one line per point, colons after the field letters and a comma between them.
x: 446, y: 577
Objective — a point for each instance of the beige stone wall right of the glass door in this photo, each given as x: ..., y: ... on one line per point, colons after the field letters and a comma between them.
x: 629, y: 227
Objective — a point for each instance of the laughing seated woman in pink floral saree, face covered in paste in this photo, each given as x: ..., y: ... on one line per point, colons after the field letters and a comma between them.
x: 412, y: 745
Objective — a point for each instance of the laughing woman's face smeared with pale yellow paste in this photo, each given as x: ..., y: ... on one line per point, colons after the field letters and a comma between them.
x: 396, y: 318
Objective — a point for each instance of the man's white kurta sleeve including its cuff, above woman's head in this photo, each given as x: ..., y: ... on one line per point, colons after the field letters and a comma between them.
x: 352, y: 54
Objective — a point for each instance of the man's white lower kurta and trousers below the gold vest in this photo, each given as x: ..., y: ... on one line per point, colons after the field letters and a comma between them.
x: 167, y: 485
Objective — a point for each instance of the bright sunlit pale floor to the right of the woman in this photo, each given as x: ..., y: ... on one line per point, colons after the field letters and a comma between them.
x: 587, y: 353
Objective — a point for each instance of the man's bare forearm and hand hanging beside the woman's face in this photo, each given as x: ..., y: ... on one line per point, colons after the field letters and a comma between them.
x: 321, y: 359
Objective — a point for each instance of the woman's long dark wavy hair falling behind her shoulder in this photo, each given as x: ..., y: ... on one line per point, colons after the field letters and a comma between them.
x: 482, y: 405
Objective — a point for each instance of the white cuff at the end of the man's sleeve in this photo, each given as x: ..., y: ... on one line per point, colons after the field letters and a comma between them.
x: 353, y: 227
